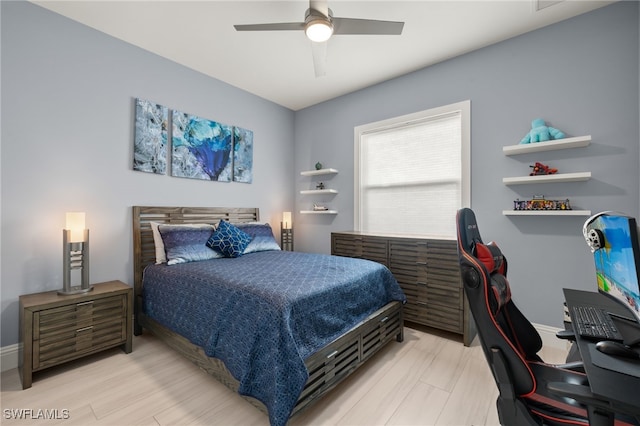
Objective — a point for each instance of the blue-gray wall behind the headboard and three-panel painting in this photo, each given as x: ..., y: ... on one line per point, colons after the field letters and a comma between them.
x: 67, y: 142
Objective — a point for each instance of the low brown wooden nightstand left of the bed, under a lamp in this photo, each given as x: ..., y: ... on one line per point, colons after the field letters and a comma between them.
x: 55, y: 329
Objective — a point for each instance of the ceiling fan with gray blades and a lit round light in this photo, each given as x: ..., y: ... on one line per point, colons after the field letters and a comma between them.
x: 320, y: 24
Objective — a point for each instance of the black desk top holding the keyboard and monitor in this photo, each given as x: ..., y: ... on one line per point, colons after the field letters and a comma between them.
x: 622, y: 390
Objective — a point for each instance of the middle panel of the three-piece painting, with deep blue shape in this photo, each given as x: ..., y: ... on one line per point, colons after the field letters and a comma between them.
x: 201, y: 148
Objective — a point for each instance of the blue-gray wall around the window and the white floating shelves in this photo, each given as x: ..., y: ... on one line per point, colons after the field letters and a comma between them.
x: 581, y: 75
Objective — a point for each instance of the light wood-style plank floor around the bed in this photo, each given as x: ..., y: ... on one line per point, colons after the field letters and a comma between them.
x: 429, y: 379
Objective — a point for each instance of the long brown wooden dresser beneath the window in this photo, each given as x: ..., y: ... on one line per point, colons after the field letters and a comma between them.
x: 428, y: 271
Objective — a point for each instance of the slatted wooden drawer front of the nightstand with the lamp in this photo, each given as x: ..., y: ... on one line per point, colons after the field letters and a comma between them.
x: 70, y: 331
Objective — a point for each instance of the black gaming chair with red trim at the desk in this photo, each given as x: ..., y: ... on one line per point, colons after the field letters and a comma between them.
x: 531, y: 391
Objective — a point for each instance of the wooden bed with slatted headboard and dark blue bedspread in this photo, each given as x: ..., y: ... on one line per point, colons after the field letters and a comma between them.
x: 308, y: 364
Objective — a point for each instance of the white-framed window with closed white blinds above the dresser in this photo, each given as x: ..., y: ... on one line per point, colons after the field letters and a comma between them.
x: 412, y: 173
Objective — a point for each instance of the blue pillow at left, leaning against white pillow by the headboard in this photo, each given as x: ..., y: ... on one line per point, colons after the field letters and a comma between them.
x: 184, y: 244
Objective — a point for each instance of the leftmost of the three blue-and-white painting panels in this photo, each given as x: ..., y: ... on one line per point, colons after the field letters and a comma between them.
x: 150, y: 140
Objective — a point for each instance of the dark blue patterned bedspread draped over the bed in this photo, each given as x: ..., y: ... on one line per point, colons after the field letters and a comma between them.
x: 264, y: 313
